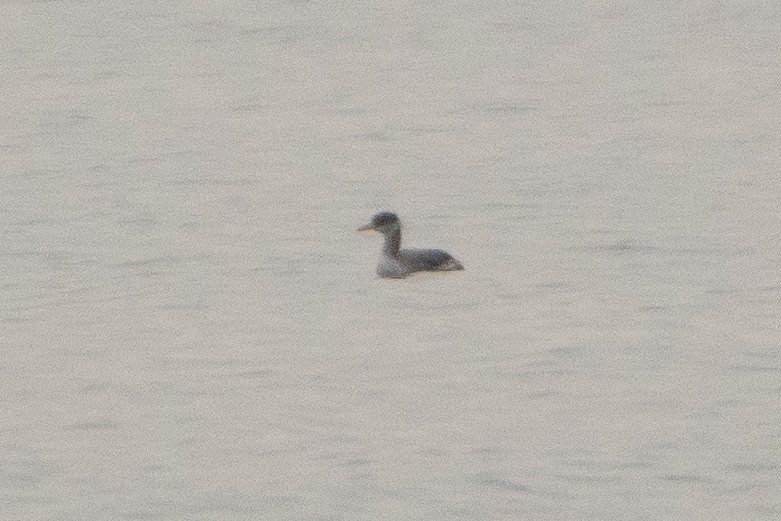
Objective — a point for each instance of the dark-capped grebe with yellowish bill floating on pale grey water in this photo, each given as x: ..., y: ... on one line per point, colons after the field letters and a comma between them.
x: 397, y: 263
